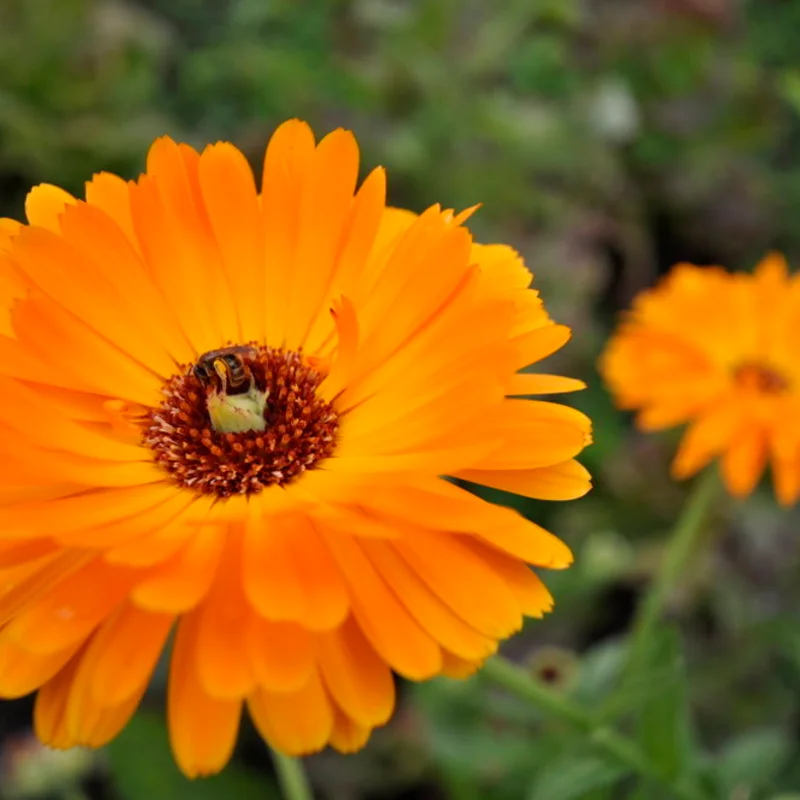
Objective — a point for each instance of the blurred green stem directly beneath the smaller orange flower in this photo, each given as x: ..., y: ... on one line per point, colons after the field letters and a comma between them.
x: 681, y: 545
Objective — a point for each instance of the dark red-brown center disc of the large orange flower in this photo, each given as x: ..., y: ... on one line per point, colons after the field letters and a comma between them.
x: 240, y: 419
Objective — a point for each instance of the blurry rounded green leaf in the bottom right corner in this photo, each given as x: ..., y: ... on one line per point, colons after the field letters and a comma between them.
x: 754, y: 759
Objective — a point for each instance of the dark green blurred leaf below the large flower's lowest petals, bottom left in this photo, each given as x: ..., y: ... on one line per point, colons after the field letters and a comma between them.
x: 142, y: 767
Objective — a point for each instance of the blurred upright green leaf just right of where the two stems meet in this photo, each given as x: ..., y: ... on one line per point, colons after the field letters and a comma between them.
x: 663, y: 723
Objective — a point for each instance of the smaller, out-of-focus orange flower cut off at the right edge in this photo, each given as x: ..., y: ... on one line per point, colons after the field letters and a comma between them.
x: 718, y: 351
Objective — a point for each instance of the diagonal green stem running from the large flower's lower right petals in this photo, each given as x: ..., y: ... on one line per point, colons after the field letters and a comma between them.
x: 618, y: 747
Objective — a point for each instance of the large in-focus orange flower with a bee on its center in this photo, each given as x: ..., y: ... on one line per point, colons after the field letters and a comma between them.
x: 279, y: 503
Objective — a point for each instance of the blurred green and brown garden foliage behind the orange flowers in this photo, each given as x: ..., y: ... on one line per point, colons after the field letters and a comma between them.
x: 607, y: 140
